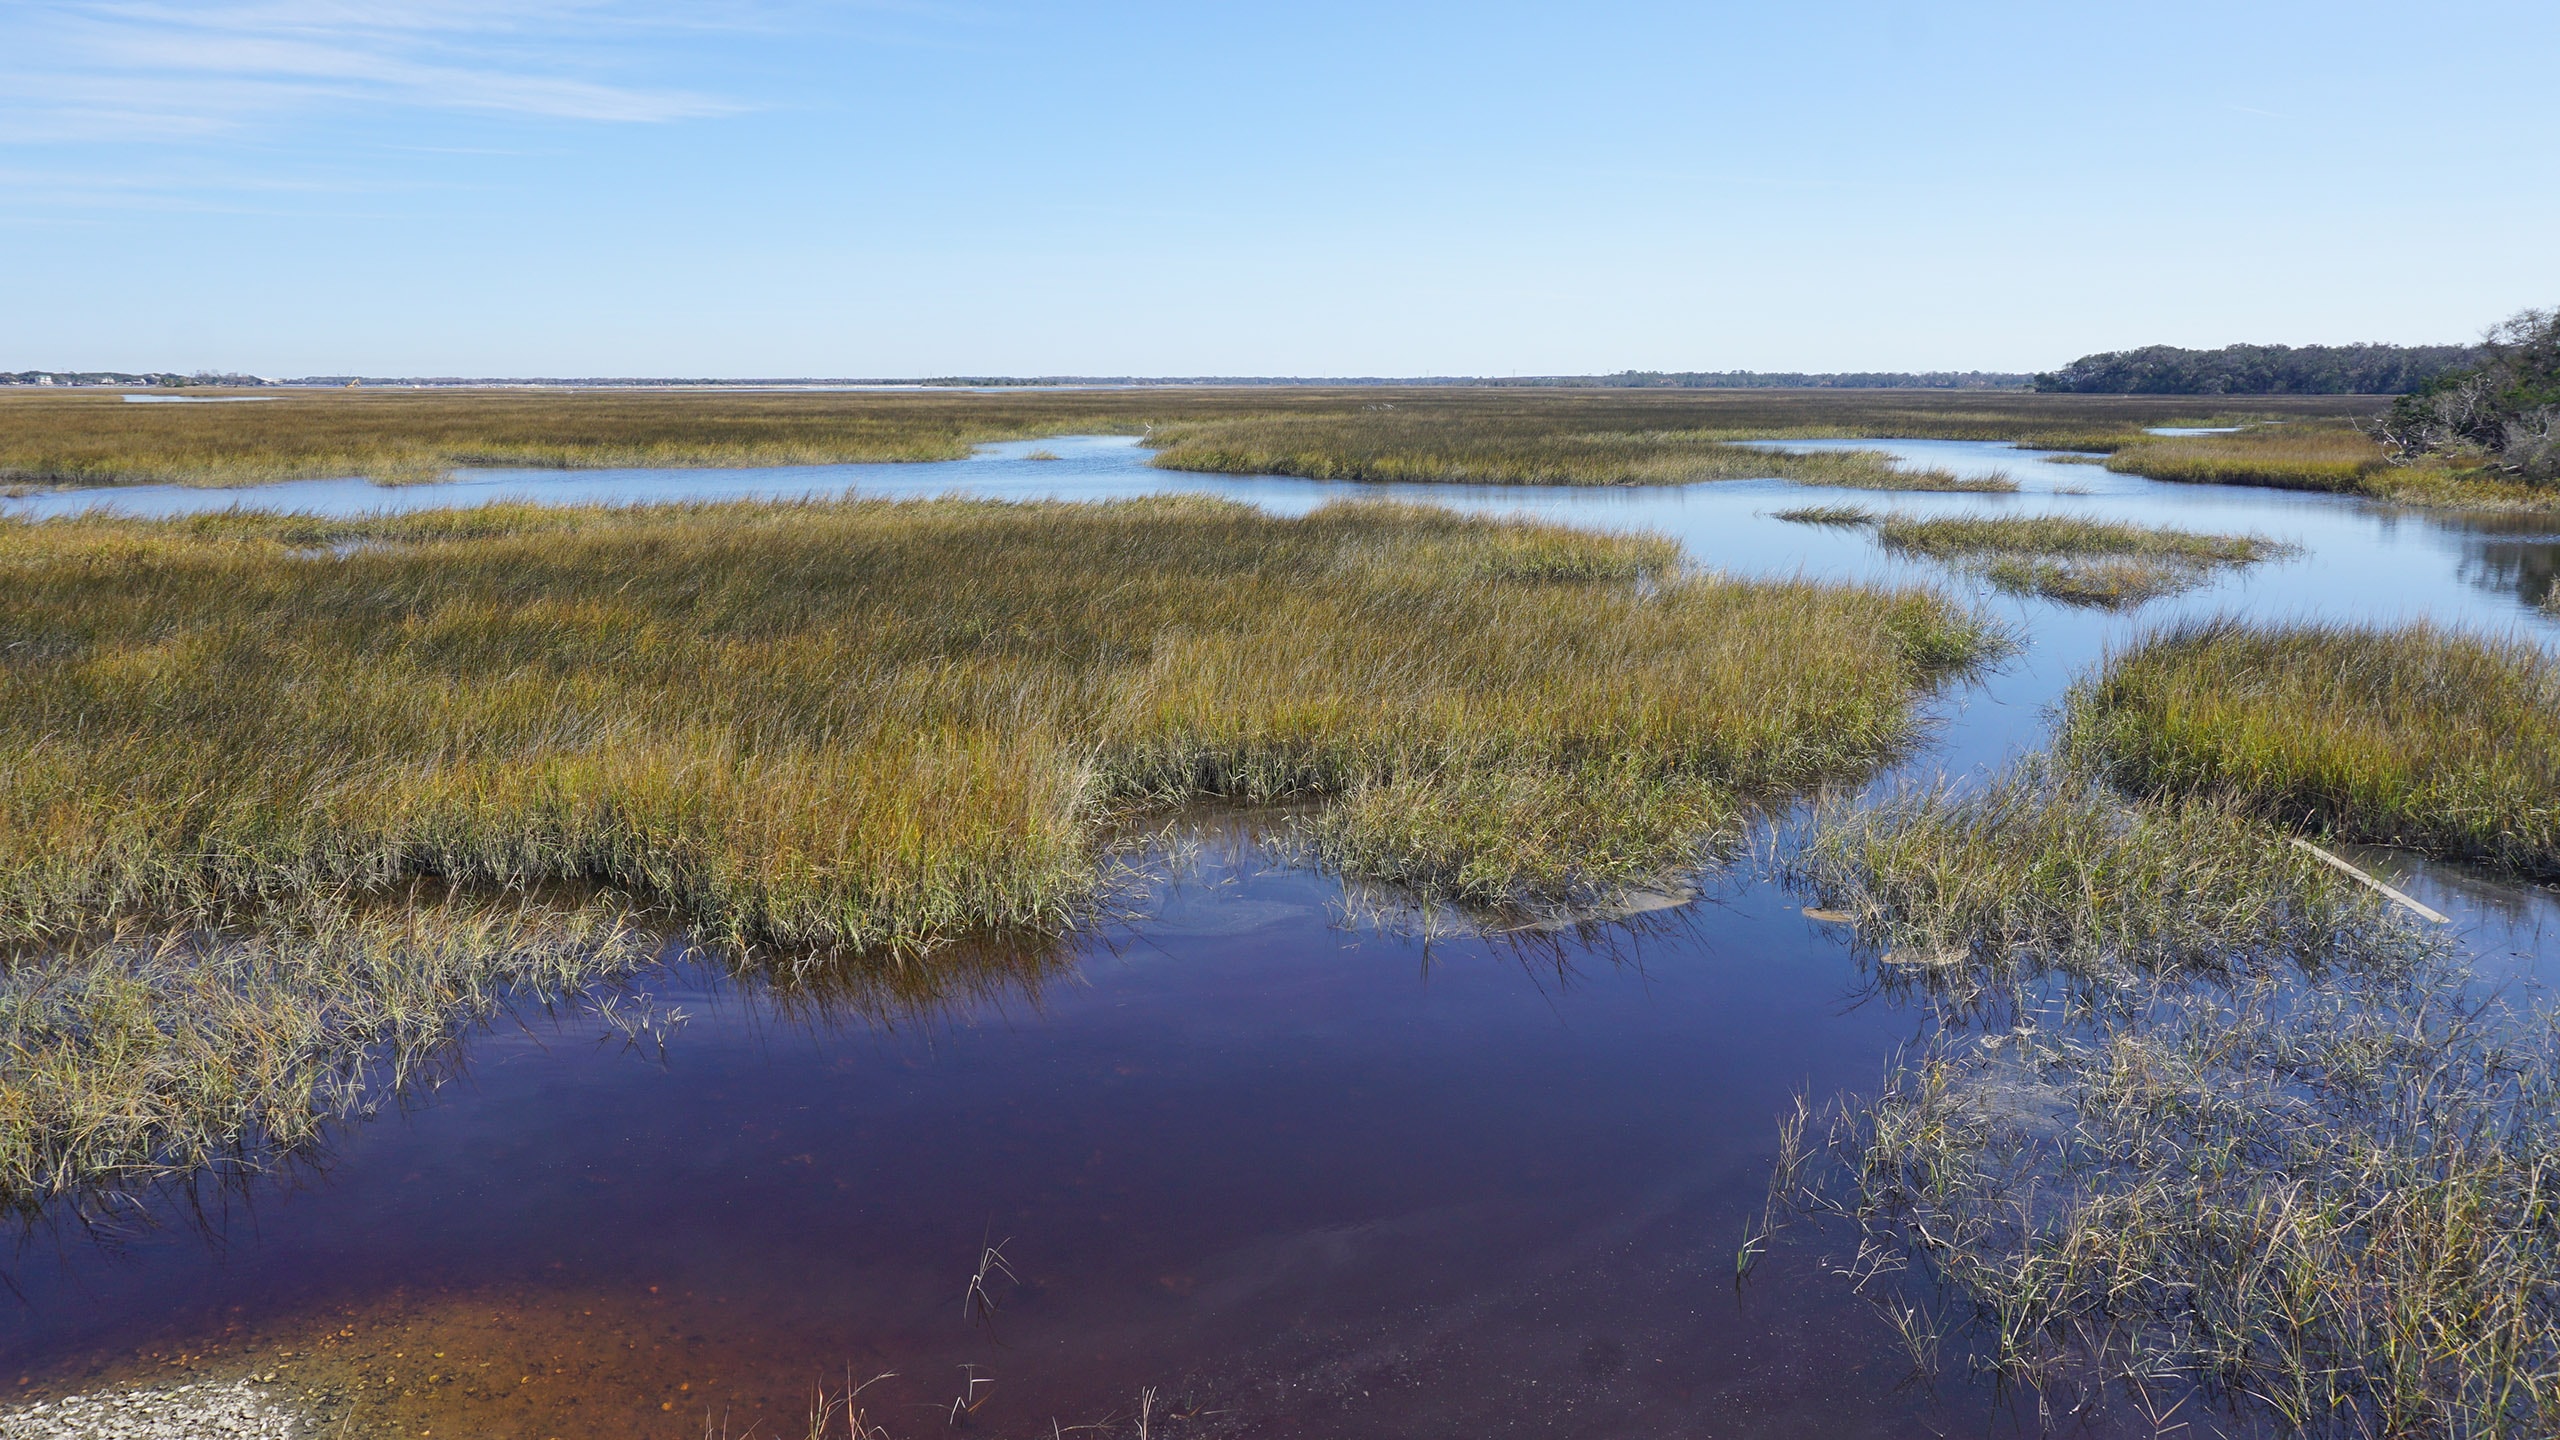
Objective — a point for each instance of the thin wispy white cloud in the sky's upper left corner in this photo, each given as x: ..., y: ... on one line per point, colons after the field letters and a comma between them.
x: 157, y: 70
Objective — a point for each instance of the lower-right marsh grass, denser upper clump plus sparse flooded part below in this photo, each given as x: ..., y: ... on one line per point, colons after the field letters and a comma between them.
x: 2198, y: 1116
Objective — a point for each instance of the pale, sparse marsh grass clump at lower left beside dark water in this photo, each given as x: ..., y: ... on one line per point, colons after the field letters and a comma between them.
x: 142, y: 1057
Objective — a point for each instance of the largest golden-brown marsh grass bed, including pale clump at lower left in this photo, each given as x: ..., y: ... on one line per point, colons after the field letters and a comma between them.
x: 823, y: 737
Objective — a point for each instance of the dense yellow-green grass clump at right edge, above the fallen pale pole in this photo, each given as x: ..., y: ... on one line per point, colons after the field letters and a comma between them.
x: 2400, y: 737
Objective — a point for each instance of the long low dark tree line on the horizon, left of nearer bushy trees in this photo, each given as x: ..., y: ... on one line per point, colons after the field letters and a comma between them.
x: 2259, y: 370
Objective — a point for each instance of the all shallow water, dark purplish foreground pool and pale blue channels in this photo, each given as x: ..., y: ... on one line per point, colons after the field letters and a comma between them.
x: 1302, y: 1175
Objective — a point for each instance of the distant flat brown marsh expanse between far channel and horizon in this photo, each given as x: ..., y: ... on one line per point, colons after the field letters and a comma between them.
x: 1496, y: 437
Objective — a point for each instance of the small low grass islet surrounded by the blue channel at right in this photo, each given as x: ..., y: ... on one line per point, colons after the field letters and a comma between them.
x: 2080, y: 562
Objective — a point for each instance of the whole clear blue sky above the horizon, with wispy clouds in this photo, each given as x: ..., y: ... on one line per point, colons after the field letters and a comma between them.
x: 1309, y: 188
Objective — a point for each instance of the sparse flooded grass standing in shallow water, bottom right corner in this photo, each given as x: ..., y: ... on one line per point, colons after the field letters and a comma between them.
x: 2321, y: 1198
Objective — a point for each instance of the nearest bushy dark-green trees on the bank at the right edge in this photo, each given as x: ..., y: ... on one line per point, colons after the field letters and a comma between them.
x: 2500, y: 414
